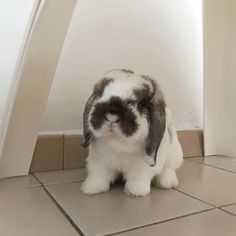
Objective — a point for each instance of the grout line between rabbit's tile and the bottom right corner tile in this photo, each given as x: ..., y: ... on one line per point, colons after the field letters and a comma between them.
x: 163, y: 221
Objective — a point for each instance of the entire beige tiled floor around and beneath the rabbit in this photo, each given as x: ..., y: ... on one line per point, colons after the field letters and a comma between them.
x: 51, y: 203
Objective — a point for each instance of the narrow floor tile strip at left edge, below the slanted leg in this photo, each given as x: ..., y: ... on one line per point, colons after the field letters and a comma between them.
x: 23, y: 181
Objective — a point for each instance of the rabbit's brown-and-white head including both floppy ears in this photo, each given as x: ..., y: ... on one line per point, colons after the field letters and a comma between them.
x: 128, y: 107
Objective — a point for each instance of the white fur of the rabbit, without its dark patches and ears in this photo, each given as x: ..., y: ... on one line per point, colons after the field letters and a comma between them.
x: 112, y: 153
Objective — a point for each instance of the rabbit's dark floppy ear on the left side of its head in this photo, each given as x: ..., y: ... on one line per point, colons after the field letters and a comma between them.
x: 97, y: 93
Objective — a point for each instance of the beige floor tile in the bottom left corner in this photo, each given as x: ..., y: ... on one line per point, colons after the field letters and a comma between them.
x: 29, y: 211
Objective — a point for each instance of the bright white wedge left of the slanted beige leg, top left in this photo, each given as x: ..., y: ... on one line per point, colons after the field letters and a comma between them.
x: 14, y: 19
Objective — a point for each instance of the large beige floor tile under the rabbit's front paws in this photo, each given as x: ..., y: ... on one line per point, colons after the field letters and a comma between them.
x: 114, y: 211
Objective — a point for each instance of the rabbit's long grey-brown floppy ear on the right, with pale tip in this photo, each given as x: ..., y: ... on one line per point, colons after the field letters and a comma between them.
x: 157, y: 122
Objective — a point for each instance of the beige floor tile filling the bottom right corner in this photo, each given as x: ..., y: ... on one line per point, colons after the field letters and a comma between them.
x: 213, y: 222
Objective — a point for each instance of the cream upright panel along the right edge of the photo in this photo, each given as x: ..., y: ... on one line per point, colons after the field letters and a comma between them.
x: 219, y: 77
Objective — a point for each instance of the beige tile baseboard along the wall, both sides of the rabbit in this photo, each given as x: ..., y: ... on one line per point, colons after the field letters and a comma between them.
x: 64, y: 151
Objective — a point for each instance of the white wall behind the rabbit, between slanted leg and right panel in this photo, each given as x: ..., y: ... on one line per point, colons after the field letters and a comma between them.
x: 160, y: 38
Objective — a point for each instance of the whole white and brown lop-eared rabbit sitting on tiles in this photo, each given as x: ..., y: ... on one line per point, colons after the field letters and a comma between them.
x: 129, y: 131
